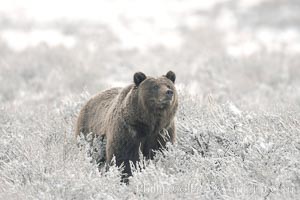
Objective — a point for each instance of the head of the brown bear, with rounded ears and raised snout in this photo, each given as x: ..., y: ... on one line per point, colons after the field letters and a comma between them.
x: 156, y: 93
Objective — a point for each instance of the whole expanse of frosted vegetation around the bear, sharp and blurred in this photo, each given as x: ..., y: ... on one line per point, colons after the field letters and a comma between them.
x: 238, y: 122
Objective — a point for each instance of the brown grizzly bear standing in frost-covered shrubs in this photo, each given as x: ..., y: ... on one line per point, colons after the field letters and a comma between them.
x: 137, y: 118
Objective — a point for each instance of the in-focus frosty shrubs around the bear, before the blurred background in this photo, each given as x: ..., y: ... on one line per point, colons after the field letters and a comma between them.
x: 221, y: 152
